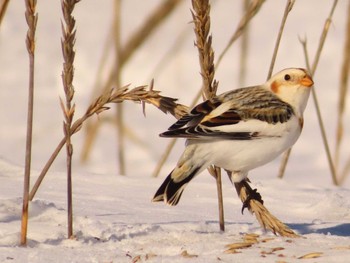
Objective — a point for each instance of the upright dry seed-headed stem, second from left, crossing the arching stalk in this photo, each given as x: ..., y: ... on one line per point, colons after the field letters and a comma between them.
x: 67, y: 42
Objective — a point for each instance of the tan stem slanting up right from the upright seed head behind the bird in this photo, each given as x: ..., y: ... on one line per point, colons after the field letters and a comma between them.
x: 253, y: 9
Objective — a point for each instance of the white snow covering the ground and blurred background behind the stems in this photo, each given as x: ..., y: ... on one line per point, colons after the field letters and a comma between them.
x: 114, y: 218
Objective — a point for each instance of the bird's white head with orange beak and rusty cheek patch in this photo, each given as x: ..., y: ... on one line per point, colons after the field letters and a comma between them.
x: 292, y: 85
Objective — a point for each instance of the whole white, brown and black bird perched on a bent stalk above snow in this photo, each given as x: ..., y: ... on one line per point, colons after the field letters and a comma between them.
x: 239, y: 130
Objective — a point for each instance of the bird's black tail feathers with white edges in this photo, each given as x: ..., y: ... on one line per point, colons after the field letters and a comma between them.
x: 170, y: 191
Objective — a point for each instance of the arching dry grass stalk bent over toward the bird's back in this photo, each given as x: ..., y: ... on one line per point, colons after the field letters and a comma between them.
x: 99, y: 105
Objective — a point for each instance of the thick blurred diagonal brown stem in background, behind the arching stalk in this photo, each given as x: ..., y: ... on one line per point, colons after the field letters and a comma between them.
x: 128, y: 49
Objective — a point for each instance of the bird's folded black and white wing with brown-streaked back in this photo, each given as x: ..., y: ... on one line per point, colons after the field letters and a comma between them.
x: 235, y: 115
